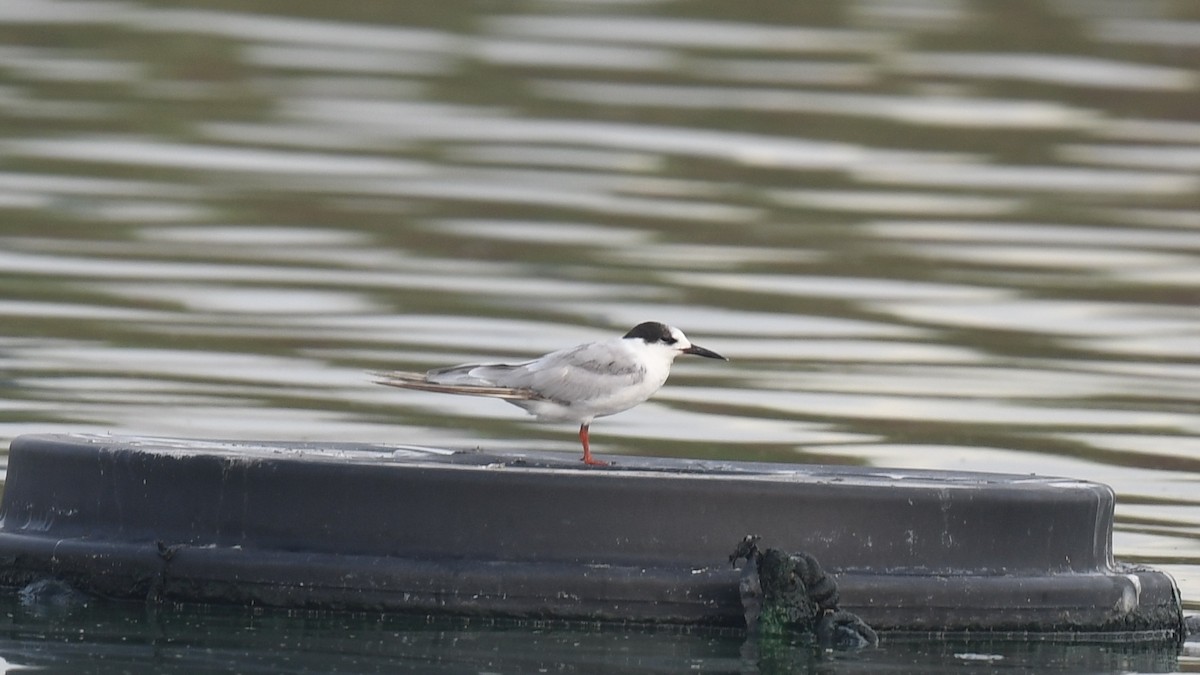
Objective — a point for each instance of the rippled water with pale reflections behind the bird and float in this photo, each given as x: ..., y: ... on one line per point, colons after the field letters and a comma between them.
x: 928, y: 234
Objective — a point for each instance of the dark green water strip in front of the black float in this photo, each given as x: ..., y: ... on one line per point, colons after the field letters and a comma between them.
x: 107, y: 638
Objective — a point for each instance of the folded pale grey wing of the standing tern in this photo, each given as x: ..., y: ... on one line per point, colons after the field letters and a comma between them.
x: 577, y: 374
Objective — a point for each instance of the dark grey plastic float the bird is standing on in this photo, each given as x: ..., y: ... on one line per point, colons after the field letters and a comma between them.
x: 539, y: 536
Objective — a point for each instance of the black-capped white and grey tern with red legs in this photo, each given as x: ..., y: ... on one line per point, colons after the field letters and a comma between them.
x: 574, y: 385
